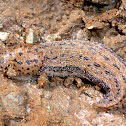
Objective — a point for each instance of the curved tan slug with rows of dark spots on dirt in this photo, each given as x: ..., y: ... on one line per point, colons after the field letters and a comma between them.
x: 84, y: 59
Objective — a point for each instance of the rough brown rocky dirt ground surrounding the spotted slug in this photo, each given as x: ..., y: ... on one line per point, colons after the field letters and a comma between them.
x: 23, y: 103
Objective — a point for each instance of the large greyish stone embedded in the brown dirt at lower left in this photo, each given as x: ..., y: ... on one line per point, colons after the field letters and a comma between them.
x: 14, y: 103
